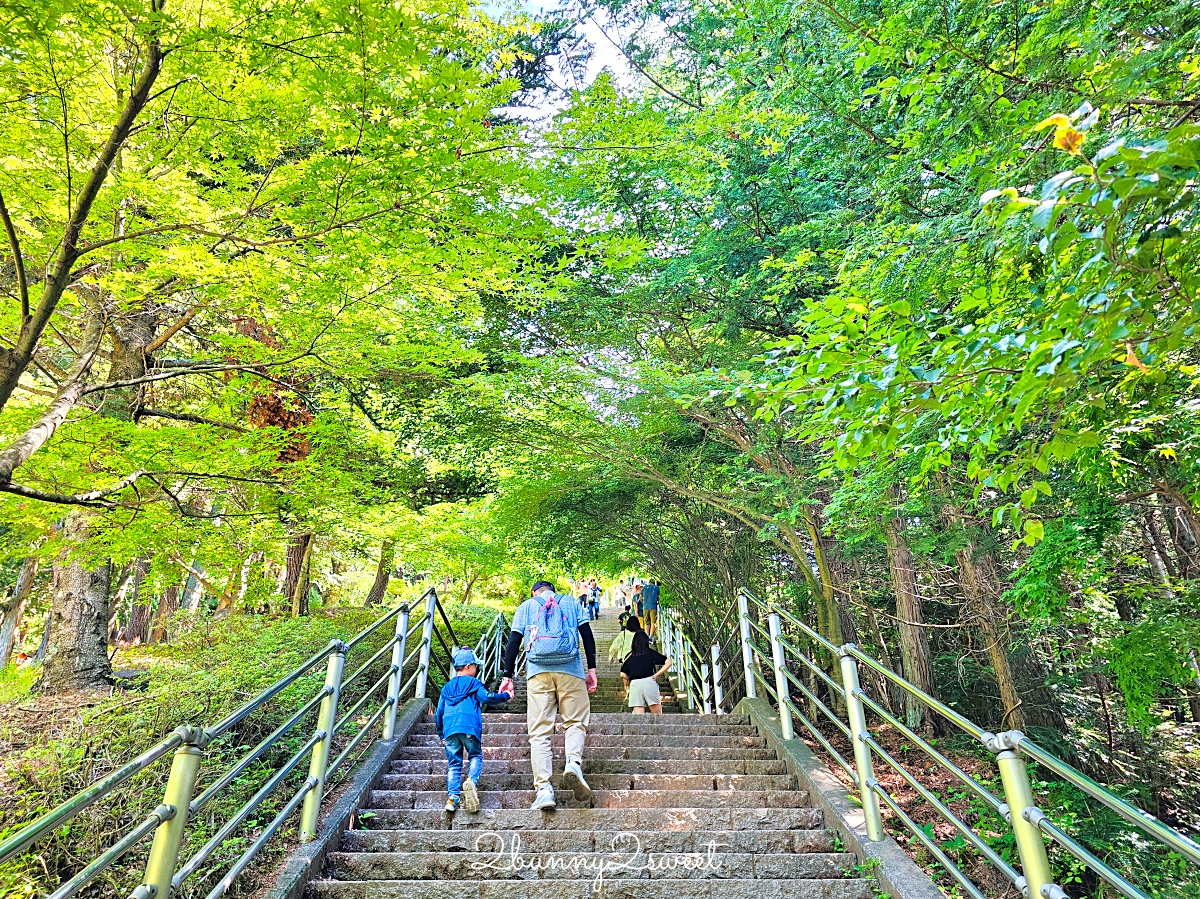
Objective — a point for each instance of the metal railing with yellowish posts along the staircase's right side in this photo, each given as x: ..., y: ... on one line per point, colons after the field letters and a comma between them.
x: 811, y: 680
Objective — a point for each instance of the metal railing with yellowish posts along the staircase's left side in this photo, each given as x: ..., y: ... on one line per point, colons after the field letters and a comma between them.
x: 188, y: 745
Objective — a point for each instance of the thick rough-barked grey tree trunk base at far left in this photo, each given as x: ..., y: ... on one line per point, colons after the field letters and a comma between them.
x: 77, y: 654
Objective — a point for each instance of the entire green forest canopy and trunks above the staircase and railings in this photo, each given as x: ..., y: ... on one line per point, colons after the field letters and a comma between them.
x: 886, y: 311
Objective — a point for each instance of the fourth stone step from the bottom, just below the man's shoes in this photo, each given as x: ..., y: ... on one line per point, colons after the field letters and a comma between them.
x: 700, y: 820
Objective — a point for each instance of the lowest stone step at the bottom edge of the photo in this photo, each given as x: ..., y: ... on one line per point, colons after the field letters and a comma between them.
x: 585, y: 889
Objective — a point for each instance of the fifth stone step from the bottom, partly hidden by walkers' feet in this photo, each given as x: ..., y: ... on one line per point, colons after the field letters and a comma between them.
x: 604, y: 799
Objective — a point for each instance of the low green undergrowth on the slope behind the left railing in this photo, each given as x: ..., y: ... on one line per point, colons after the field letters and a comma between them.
x: 52, y: 752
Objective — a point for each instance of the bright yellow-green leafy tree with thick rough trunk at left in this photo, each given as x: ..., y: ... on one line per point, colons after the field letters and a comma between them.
x: 231, y: 233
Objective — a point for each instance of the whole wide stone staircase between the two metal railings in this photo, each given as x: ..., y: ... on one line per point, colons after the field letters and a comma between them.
x: 685, y: 807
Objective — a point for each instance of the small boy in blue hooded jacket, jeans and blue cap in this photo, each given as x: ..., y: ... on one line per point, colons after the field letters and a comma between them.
x: 460, y: 722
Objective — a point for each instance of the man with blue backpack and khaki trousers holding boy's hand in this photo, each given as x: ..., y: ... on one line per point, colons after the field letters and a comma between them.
x: 553, y: 627
